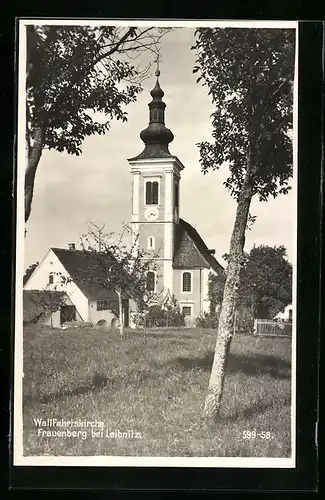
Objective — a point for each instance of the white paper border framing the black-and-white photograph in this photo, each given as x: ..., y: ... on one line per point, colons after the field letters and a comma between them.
x: 104, y: 461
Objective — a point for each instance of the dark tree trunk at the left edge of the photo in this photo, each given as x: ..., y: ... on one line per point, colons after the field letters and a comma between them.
x: 33, y: 161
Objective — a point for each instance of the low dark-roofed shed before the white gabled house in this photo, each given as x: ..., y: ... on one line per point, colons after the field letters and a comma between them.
x: 51, y: 308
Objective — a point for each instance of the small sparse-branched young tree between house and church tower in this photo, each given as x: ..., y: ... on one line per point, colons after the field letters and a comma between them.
x: 114, y: 266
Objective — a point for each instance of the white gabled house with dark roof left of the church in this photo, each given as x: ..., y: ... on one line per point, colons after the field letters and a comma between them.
x: 72, y: 271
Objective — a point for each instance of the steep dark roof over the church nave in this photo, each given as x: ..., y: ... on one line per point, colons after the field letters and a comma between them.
x: 190, y: 251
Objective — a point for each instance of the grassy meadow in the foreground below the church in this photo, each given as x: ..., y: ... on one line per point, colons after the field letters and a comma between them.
x: 155, y: 389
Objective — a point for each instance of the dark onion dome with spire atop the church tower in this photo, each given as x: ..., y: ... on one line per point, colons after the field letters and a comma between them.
x: 156, y: 136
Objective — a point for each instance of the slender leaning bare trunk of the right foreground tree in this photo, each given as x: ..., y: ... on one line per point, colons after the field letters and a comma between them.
x: 225, y: 325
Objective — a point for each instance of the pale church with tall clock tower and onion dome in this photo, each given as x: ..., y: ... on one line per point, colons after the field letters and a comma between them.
x: 182, y: 259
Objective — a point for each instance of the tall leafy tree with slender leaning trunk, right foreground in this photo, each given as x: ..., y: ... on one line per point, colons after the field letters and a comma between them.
x: 249, y: 74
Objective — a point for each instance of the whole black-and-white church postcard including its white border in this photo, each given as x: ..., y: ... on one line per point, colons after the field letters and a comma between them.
x: 155, y: 318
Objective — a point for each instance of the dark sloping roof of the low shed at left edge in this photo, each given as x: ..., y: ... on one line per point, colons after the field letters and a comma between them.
x: 36, y: 302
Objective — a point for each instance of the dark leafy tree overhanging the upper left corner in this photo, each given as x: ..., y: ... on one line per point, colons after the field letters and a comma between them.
x: 74, y: 72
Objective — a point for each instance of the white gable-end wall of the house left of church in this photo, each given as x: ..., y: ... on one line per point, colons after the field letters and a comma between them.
x: 39, y: 280
